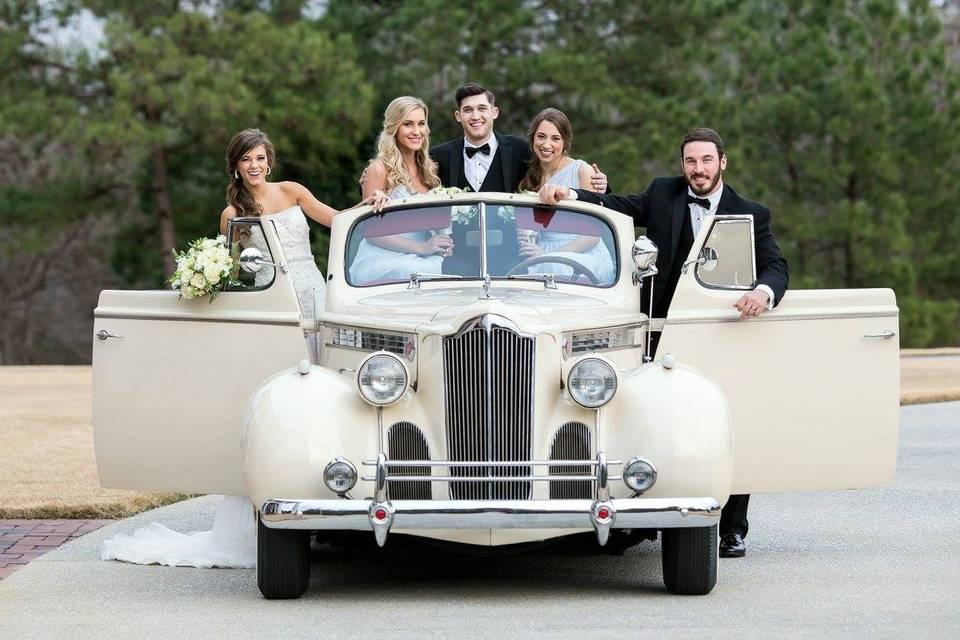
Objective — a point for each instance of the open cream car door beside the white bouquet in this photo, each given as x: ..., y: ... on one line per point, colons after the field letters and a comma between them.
x: 172, y: 378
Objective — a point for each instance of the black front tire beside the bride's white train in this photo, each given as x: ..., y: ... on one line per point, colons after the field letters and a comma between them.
x: 283, y: 562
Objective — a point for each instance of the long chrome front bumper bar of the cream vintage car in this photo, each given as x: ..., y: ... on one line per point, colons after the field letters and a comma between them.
x: 630, y: 513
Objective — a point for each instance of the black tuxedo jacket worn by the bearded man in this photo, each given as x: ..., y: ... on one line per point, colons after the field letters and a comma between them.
x: 663, y: 210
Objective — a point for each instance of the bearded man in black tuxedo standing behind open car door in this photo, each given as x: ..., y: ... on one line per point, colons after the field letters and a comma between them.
x: 672, y: 210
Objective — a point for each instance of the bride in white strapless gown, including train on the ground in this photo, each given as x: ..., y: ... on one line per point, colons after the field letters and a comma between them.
x: 250, y: 159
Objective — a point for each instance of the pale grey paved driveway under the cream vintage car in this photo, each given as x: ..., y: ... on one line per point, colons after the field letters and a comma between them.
x: 880, y: 563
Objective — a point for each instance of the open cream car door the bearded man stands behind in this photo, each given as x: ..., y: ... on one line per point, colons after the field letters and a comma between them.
x: 813, y: 385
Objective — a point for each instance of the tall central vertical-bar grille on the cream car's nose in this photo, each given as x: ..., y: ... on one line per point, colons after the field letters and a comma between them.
x: 488, y: 380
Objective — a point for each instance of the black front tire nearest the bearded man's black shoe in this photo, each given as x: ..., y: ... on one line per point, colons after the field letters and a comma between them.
x: 690, y: 560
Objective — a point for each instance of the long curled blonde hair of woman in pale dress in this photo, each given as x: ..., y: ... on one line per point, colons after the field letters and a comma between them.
x: 388, y: 152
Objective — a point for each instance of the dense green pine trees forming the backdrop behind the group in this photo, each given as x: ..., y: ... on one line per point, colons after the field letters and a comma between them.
x: 840, y: 116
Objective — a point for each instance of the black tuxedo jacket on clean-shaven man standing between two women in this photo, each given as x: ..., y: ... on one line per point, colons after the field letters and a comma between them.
x: 507, y: 167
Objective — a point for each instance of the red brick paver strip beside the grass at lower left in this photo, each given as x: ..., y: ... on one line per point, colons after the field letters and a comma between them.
x: 23, y: 540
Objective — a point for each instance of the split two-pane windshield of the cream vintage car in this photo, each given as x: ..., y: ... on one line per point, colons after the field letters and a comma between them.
x: 445, y: 242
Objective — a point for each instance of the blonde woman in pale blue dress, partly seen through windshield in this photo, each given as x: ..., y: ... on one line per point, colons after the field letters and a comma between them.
x: 402, y: 168
